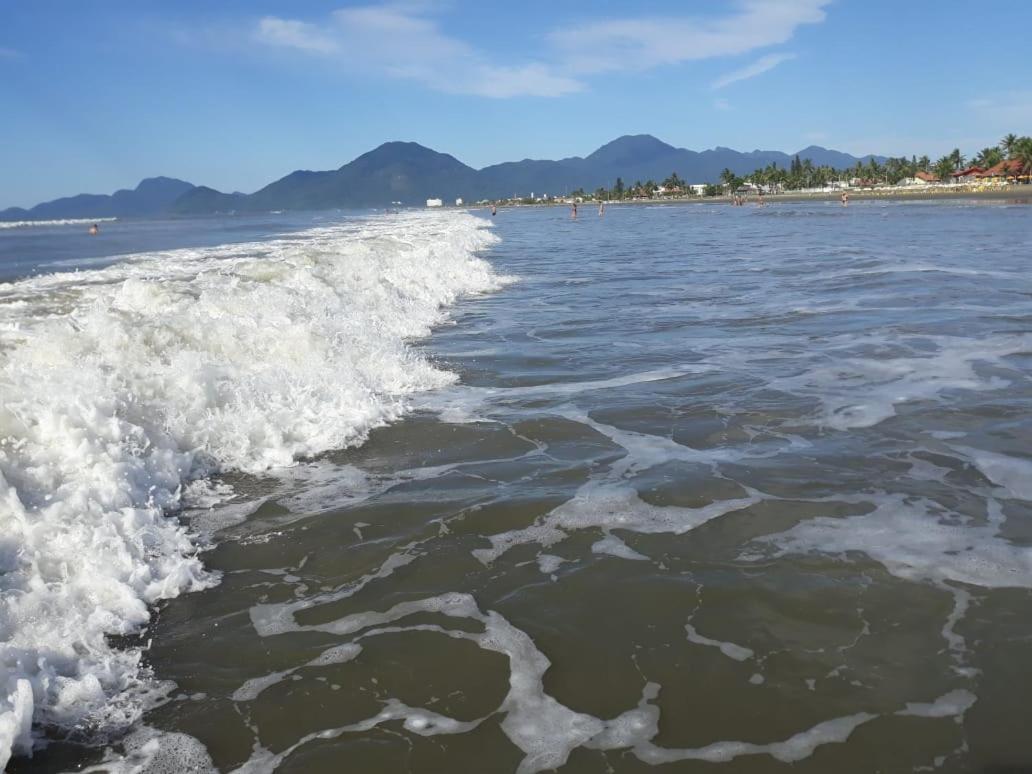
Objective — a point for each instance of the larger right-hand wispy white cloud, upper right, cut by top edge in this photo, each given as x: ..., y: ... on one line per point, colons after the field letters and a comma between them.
x: 643, y: 44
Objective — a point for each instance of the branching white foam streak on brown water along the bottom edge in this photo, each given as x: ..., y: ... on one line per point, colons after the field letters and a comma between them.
x: 542, y: 728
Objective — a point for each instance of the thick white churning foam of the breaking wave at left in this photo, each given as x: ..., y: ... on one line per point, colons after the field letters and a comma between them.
x: 121, y: 385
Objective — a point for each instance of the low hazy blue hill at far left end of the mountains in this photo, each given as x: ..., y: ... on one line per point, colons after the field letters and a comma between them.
x: 152, y: 197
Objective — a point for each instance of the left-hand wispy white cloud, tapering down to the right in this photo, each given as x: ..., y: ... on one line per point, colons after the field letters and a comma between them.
x: 402, y: 42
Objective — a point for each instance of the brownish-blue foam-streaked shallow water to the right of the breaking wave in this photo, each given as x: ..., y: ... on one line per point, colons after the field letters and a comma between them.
x: 717, y: 486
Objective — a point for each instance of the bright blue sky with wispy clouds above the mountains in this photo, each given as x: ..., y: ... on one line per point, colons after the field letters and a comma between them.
x: 95, y: 96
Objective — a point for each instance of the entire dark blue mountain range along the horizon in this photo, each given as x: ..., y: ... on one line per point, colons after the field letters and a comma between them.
x: 410, y: 174
